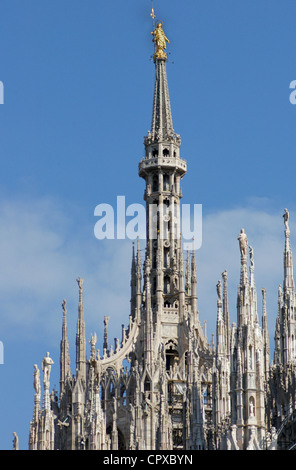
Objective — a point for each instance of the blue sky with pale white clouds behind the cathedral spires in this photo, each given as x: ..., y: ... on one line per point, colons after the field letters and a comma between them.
x: 78, y: 87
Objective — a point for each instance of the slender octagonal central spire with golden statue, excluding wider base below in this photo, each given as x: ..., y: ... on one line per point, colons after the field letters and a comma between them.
x: 162, y: 169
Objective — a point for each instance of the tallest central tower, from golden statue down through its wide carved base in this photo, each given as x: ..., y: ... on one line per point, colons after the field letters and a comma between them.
x: 170, y: 338
